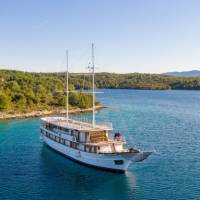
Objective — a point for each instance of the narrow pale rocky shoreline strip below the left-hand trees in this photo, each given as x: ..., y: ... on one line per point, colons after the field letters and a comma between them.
x: 4, y: 116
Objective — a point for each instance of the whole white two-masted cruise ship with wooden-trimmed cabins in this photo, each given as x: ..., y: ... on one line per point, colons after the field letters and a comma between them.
x: 89, y: 143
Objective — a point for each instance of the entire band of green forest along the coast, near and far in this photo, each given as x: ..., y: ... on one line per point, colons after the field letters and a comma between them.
x: 29, y: 91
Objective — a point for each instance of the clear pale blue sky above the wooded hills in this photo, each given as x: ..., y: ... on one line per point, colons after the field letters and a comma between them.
x: 147, y: 36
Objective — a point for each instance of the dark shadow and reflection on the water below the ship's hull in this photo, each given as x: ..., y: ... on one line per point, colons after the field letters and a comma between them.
x: 69, y: 178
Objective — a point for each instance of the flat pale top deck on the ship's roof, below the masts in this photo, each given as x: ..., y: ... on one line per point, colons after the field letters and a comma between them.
x: 77, y: 125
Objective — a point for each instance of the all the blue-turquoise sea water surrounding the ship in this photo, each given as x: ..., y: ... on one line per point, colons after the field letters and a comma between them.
x: 167, y: 122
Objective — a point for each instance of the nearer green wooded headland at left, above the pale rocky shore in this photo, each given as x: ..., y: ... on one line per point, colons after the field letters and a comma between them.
x: 25, y: 92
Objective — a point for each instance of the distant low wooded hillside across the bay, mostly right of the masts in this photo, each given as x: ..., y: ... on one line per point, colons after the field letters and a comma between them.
x: 141, y: 81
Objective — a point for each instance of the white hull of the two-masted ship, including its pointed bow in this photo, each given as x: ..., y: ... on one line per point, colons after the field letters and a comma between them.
x: 104, y: 161
